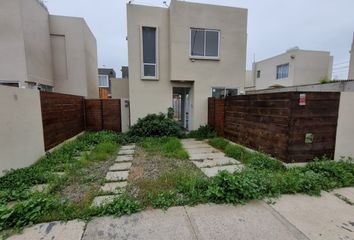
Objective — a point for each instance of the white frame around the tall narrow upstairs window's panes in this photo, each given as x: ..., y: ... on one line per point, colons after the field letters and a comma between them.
x: 143, y: 77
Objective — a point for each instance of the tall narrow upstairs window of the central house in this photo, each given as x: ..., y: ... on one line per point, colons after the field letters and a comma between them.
x: 149, y: 46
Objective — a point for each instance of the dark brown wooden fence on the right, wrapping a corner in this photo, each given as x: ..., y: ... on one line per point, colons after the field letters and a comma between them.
x: 291, y: 126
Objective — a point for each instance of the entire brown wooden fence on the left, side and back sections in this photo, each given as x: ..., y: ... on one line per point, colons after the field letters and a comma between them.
x: 64, y: 116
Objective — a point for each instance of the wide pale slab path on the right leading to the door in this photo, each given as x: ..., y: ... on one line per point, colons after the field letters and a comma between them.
x: 210, y: 160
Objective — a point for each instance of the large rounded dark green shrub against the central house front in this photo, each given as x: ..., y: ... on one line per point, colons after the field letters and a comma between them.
x: 155, y: 125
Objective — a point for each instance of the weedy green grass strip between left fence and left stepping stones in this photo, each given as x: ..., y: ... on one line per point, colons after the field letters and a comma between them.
x: 67, y: 197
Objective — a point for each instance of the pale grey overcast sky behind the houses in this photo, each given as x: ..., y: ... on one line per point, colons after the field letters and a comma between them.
x: 273, y: 27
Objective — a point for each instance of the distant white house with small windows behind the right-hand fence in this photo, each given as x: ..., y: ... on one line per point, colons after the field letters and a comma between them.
x: 292, y: 68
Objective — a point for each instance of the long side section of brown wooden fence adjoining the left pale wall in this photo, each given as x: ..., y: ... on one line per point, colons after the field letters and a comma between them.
x: 63, y: 117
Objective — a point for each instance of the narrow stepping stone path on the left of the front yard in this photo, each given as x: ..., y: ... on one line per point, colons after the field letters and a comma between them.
x: 116, y: 178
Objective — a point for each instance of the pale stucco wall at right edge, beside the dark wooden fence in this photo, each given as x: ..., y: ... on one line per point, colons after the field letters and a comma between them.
x: 345, y: 129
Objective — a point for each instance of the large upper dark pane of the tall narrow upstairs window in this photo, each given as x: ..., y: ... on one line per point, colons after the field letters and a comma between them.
x: 149, y: 45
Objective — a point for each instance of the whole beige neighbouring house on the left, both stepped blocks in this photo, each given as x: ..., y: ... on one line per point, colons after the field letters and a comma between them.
x: 38, y: 50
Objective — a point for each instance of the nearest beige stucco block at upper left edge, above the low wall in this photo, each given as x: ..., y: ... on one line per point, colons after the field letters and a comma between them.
x: 24, y: 42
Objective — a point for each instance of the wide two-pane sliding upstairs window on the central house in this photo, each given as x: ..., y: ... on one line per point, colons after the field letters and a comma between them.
x: 204, y: 43
